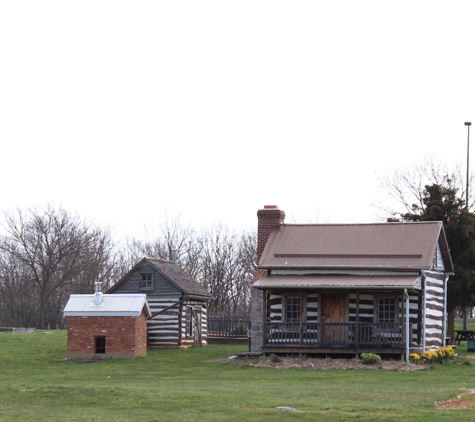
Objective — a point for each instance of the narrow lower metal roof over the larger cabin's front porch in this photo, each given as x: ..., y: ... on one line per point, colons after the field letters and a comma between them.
x: 340, y: 281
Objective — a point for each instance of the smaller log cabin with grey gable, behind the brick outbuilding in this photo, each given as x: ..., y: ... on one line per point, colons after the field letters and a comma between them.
x: 178, y: 303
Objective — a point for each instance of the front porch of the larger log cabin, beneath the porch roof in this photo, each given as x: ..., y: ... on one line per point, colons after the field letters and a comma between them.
x: 330, y: 322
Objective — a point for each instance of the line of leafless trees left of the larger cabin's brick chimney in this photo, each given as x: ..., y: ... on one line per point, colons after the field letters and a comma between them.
x: 48, y: 254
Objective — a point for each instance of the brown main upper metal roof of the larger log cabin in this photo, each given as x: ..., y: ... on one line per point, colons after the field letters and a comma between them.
x: 386, y: 245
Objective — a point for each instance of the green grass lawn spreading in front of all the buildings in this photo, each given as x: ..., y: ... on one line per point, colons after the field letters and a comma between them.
x: 37, y: 383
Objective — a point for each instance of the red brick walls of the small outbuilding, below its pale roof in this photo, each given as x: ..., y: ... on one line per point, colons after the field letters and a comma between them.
x: 125, y: 336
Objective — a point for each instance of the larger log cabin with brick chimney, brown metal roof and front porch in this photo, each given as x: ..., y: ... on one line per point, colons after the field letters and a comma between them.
x: 349, y: 288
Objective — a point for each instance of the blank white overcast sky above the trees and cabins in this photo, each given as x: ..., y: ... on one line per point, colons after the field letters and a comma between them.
x: 124, y: 110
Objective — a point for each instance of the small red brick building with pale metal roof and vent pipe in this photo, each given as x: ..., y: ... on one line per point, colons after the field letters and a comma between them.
x: 104, y: 326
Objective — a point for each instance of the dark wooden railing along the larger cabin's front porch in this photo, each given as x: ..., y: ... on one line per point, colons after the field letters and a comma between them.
x: 322, y: 334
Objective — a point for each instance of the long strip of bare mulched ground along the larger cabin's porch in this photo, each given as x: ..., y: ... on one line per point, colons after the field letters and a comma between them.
x: 309, y: 363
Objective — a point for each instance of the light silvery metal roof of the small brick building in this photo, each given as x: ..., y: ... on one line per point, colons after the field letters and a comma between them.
x: 111, y: 305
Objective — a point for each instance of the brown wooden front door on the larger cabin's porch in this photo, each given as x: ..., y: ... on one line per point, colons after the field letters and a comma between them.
x: 333, y: 312
